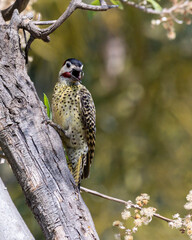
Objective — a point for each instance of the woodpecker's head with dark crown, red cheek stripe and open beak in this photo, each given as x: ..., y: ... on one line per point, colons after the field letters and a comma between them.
x: 71, y: 71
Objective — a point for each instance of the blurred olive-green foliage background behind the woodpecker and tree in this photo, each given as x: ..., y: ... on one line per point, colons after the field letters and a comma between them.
x: 142, y: 87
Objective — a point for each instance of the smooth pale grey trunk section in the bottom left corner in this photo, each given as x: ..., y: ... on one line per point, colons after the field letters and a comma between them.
x: 12, y: 225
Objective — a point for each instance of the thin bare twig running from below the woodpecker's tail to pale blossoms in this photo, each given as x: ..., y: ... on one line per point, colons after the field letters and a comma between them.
x: 121, y: 201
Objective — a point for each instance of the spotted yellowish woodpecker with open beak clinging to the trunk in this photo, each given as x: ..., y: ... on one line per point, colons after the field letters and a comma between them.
x: 74, y: 111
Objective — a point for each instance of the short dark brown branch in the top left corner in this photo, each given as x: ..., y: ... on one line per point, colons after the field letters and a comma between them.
x: 20, y: 5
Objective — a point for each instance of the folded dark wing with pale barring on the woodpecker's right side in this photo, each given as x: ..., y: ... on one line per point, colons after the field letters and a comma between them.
x: 88, y: 113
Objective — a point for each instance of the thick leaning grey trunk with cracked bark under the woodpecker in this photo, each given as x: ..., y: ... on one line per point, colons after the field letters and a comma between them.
x: 34, y: 149
